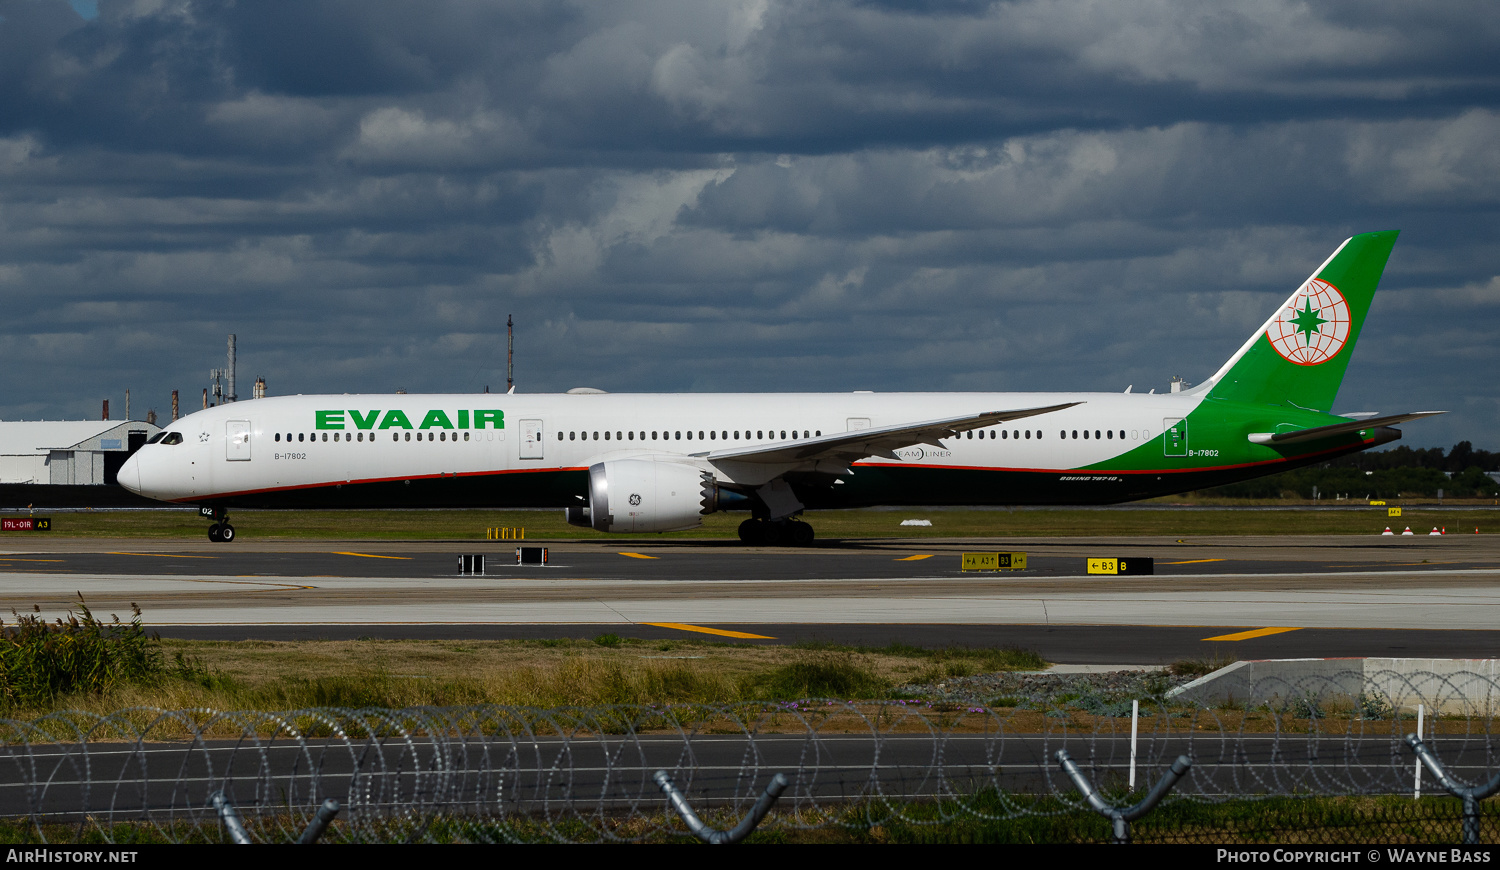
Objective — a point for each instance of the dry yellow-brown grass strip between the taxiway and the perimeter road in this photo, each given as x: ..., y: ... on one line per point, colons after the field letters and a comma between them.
x: 556, y: 673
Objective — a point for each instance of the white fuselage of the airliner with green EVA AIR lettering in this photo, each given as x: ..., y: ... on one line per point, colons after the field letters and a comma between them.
x: 299, y: 443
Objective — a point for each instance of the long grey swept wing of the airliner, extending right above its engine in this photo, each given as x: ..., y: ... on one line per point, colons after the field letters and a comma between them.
x: 880, y: 442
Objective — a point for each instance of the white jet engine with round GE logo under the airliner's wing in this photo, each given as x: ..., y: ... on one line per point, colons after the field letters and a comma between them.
x: 631, y: 496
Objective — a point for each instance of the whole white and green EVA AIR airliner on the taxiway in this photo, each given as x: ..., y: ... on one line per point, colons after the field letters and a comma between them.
x: 661, y: 463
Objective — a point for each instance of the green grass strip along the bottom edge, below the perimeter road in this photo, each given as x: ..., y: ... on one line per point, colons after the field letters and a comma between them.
x: 986, y: 817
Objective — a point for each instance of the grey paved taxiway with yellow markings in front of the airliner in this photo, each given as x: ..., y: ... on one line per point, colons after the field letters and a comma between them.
x: 1250, y: 596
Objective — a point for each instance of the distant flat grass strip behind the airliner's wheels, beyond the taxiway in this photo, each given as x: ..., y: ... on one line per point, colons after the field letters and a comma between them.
x: 542, y: 526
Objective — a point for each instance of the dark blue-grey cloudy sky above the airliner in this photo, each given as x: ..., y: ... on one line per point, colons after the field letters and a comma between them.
x: 737, y: 196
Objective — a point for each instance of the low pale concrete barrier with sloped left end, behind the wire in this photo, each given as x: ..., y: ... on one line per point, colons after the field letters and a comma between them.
x: 1457, y: 686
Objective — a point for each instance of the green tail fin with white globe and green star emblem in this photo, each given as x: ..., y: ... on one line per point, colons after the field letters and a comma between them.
x: 1298, y: 358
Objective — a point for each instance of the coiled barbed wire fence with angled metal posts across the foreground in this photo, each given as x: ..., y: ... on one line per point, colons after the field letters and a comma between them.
x: 1288, y: 761
